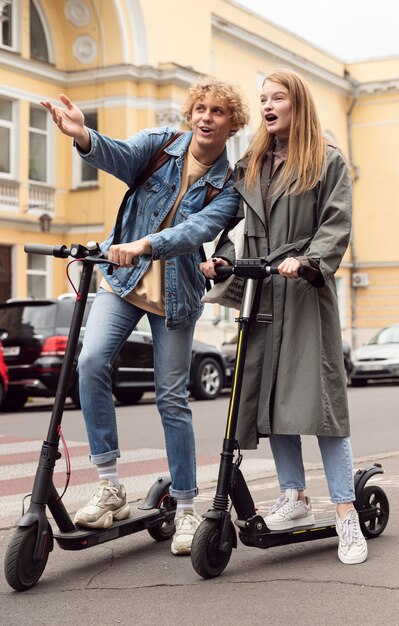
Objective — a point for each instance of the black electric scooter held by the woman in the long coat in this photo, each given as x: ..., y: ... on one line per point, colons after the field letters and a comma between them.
x: 216, y: 537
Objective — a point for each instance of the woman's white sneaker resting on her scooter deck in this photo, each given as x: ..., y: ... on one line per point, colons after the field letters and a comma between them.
x: 289, y: 512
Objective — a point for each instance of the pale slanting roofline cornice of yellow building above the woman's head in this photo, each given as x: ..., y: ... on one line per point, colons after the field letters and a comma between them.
x: 258, y: 45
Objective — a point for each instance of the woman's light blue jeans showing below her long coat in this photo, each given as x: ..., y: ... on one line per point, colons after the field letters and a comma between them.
x: 336, y: 453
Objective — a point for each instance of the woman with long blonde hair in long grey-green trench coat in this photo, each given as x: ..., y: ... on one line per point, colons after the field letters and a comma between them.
x: 295, y: 193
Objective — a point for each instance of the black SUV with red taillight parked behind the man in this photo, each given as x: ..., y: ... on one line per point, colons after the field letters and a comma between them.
x: 35, y: 338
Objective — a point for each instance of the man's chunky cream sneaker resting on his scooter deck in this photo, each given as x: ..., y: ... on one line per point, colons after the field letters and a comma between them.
x: 107, y: 504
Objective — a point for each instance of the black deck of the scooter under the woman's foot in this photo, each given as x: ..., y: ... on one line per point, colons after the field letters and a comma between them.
x: 265, y: 538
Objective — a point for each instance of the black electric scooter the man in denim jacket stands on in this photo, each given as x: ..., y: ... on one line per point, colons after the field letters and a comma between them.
x: 33, y: 540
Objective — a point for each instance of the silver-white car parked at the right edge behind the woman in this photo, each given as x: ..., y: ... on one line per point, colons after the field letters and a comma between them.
x: 378, y: 359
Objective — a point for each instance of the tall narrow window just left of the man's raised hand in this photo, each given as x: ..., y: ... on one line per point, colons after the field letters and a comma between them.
x: 38, y: 140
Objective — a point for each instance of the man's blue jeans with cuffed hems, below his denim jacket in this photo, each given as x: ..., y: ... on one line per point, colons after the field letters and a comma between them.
x: 110, y: 322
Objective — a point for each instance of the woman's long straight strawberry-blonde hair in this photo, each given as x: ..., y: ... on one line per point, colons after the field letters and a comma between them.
x: 307, y: 148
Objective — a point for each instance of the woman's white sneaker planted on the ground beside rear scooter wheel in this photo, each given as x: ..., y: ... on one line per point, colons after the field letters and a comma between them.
x: 352, y: 547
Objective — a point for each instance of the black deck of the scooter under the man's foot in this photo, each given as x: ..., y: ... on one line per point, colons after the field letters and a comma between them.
x: 138, y: 520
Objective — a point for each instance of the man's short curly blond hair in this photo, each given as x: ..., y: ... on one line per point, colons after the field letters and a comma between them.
x: 229, y: 94
